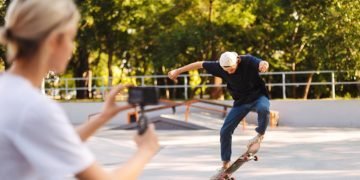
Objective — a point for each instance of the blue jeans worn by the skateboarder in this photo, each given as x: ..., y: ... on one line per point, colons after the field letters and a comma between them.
x: 236, y: 114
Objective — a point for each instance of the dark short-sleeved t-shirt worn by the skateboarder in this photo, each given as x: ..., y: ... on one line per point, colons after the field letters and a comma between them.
x: 245, y: 85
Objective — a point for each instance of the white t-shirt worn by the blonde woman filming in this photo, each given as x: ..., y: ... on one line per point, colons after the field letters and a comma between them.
x: 37, y: 140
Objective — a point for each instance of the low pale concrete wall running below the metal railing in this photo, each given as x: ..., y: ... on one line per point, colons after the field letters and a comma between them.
x: 293, y: 113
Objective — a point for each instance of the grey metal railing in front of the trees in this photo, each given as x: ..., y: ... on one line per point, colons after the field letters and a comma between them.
x: 63, y: 84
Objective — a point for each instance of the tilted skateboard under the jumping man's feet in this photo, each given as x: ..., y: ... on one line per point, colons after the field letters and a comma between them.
x: 245, y: 157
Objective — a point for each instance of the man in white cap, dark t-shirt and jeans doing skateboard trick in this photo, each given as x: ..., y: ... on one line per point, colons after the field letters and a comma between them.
x: 241, y: 73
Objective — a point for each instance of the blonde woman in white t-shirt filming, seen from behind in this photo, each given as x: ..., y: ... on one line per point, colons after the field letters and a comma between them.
x: 36, y: 139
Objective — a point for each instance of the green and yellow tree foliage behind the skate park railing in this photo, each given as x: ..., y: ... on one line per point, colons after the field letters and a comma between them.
x: 120, y: 38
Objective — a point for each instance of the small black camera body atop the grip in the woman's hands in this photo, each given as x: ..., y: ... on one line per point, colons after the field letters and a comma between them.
x: 143, y: 96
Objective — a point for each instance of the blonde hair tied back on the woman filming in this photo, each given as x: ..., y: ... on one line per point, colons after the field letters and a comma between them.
x: 29, y: 22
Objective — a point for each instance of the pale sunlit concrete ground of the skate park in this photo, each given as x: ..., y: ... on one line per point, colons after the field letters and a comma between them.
x: 286, y: 153
